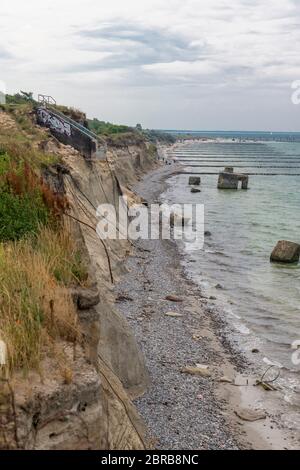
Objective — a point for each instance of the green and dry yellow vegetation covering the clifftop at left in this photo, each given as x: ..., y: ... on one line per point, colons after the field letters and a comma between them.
x: 39, y: 260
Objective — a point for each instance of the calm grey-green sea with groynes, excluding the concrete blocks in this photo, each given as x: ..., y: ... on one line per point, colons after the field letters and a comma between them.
x: 262, y: 299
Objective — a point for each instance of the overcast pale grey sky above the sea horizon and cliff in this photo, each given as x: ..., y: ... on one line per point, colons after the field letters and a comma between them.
x: 193, y: 64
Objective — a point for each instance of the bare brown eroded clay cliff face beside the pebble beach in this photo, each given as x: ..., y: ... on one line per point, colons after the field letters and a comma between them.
x: 91, y: 409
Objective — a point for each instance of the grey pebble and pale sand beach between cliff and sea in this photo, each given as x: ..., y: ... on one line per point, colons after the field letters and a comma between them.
x: 177, y: 405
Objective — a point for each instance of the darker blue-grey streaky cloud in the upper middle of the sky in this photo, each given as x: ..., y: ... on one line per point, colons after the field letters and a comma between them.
x: 125, y: 45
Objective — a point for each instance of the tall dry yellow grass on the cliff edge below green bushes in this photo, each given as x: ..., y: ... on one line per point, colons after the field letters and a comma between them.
x: 36, y: 307
